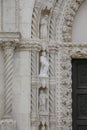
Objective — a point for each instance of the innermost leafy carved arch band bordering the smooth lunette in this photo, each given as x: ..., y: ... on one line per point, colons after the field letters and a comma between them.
x: 69, y: 19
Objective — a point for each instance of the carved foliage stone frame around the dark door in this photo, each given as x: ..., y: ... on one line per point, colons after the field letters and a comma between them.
x: 65, y: 54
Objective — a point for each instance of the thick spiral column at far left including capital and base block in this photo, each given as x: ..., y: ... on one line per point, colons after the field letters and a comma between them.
x: 7, y: 123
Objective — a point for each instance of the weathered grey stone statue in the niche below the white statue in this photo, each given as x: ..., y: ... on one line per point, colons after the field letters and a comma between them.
x: 43, y: 102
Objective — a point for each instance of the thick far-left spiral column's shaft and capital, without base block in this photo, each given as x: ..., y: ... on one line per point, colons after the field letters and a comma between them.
x: 8, y: 48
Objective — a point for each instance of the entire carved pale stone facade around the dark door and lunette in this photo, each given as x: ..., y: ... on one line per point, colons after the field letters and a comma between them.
x: 36, y: 52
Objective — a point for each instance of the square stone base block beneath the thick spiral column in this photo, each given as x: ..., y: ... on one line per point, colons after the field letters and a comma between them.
x: 7, y: 124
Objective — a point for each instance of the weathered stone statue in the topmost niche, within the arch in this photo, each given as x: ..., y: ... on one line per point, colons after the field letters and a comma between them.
x: 44, y: 28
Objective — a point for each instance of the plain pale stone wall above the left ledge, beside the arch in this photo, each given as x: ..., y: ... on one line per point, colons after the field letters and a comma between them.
x: 15, y: 16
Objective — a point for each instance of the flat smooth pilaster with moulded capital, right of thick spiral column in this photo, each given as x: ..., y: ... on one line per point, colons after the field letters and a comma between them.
x: 24, y: 76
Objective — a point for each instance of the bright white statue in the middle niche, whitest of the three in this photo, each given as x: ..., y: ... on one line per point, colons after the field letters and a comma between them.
x: 44, y: 65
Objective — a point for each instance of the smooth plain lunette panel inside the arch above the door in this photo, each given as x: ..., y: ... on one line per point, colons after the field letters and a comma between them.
x: 79, y: 32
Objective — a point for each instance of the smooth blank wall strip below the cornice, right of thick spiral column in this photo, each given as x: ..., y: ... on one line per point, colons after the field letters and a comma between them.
x: 21, y: 90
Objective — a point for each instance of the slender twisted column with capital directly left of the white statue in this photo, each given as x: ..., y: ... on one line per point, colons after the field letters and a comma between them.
x: 34, y: 87
